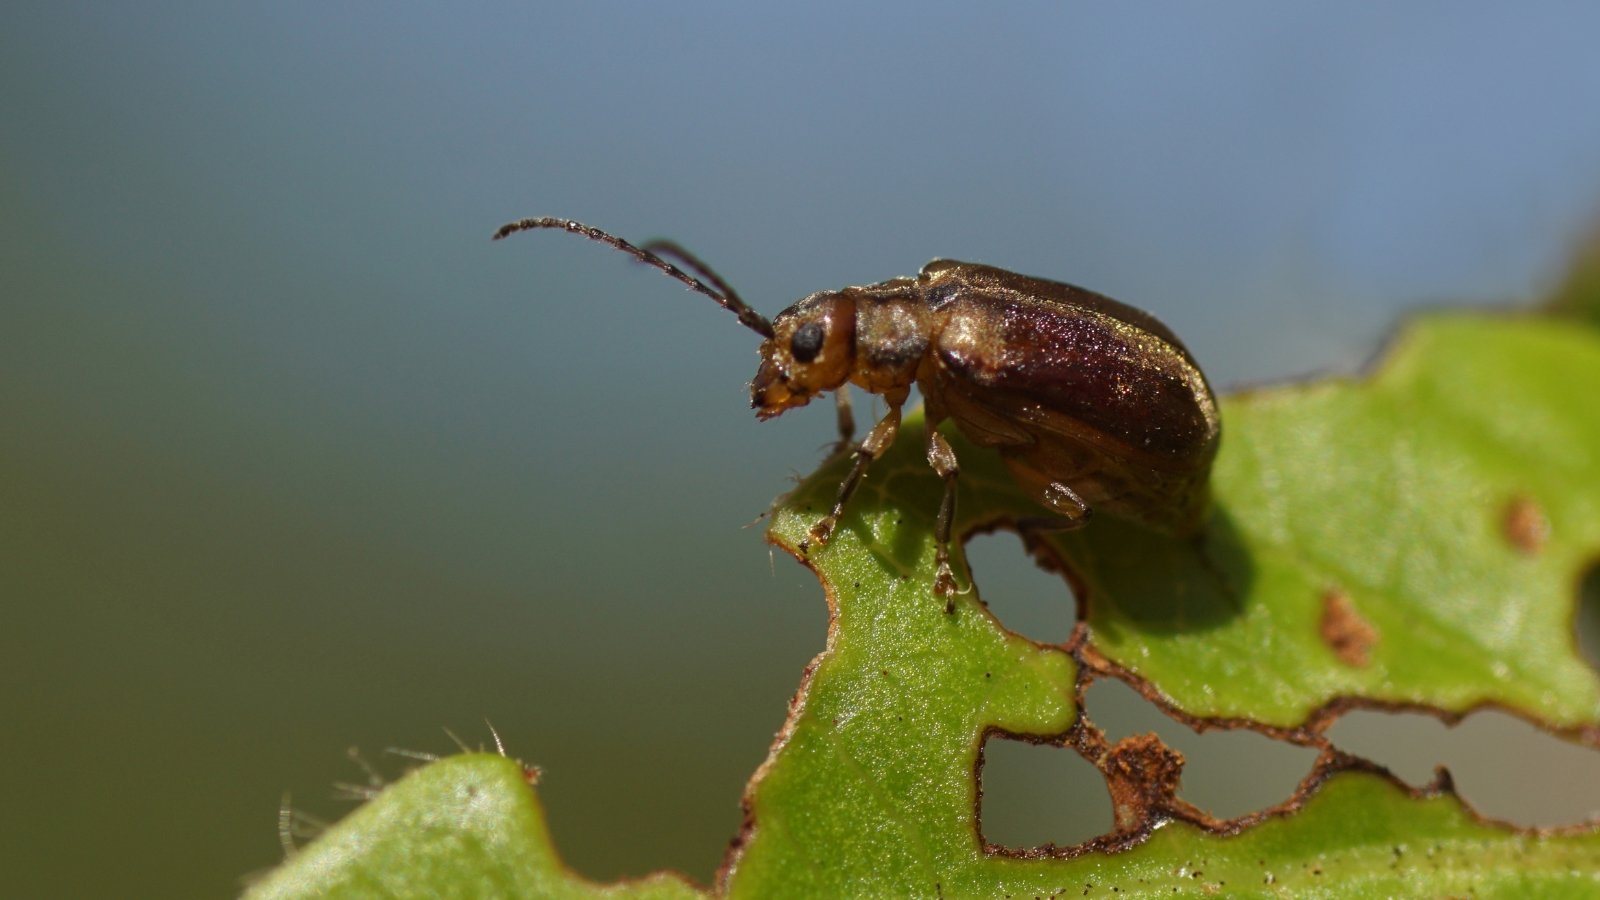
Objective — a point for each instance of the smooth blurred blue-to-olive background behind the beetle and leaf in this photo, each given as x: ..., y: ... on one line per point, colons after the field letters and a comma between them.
x: 295, y: 459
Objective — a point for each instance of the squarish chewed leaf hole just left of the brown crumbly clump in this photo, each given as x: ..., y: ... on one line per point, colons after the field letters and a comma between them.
x: 1039, y: 795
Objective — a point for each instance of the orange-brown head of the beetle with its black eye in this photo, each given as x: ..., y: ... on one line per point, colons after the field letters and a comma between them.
x: 812, y: 352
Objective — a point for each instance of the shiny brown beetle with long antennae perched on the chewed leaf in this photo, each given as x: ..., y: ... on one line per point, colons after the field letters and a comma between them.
x: 1090, y: 403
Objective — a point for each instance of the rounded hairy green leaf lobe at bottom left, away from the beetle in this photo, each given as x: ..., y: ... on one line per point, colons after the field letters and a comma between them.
x: 463, y: 827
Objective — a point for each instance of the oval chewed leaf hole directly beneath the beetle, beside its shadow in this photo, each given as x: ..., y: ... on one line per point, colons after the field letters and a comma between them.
x: 1026, y: 600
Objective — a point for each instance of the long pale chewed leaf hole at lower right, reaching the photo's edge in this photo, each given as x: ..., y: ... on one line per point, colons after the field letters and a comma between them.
x: 1503, y: 766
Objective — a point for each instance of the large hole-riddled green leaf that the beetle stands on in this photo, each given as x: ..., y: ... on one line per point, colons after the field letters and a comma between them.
x: 1385, y: 500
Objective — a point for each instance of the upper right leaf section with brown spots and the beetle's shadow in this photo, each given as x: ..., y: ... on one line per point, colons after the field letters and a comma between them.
x: 1446, y: 508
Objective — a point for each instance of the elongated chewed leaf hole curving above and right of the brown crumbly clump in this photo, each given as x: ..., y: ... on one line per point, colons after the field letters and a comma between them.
x: 1226, y: 773
